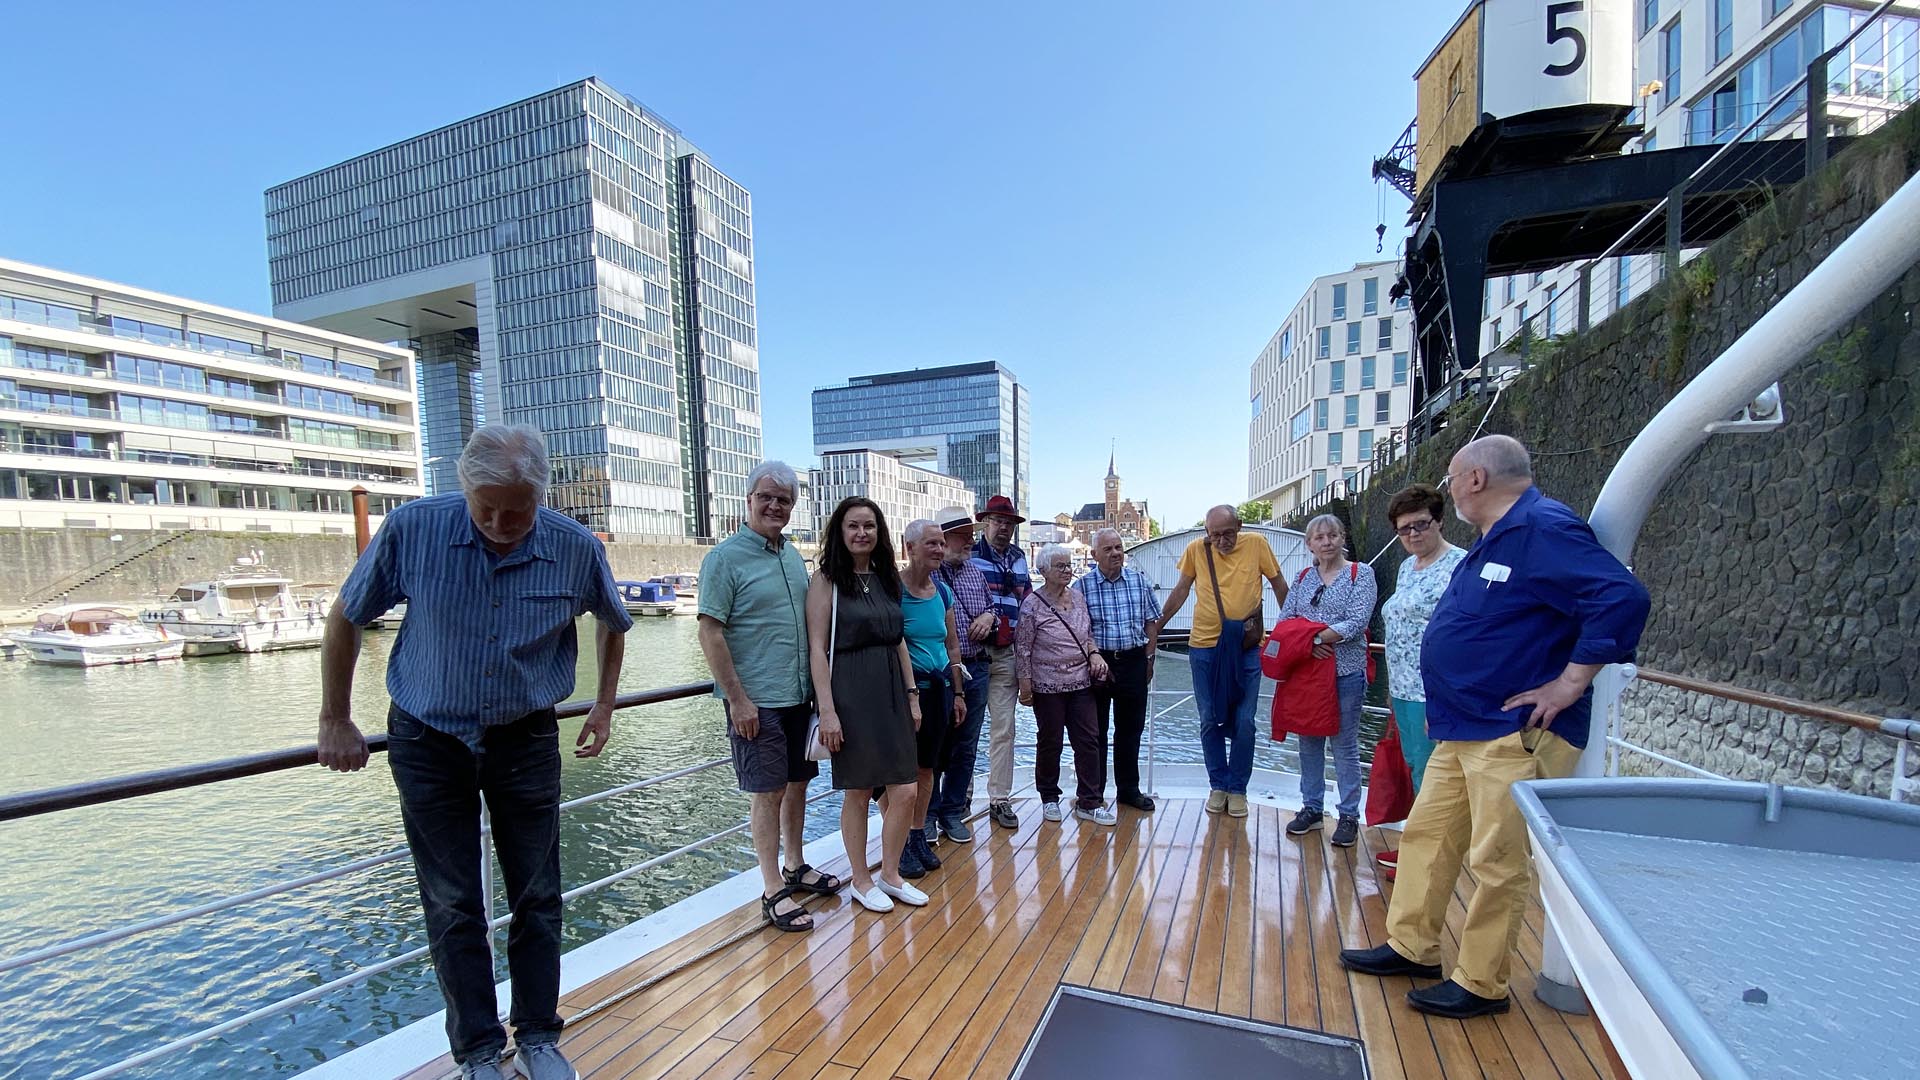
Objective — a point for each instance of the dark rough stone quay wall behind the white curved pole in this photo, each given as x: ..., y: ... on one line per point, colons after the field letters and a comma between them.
x: 1781, y: 562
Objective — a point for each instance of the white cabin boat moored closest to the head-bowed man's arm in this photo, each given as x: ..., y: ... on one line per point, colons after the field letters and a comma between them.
x: 247, y: 610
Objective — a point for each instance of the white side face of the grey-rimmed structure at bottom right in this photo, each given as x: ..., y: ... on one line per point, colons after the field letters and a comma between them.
x: 1637, y: 1033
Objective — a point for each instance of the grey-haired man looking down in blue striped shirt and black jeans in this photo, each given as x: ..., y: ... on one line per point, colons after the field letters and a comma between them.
x: 492, y: 585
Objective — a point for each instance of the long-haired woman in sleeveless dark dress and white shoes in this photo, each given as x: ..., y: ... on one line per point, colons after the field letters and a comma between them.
x: 869, y: 702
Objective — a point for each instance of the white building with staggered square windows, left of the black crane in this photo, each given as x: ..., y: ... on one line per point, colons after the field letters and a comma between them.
x: 1332, y: 387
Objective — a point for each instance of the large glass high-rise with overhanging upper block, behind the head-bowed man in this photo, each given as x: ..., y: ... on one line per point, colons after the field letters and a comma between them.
x: 569, y: 262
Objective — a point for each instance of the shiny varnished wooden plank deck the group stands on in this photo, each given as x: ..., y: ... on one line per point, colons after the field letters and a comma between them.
x: 1178, y: 906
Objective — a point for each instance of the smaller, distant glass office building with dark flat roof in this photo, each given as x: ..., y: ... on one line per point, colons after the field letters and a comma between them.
x: 972, y: 422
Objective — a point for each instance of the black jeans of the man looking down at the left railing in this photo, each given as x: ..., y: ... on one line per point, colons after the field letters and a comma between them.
x: 441, y: 783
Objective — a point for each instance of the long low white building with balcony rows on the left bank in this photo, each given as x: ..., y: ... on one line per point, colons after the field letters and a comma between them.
x: 124, y: 408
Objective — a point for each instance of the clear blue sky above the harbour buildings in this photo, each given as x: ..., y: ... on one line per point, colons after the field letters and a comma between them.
x: 1118, y: 201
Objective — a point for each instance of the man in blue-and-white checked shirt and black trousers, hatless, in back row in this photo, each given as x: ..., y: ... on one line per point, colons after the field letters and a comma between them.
x: 1126, y: 629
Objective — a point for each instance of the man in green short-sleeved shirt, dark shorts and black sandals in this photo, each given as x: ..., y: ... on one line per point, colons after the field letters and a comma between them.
x: 754, y: 631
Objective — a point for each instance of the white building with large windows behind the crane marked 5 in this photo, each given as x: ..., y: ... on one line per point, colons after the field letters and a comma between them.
x: 1719, y: 66
